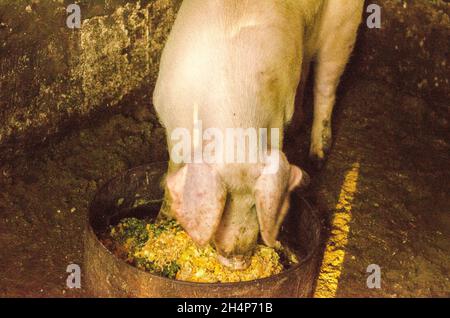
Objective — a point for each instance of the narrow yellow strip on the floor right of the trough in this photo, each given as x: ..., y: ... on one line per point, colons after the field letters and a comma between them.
x: 334, y: 255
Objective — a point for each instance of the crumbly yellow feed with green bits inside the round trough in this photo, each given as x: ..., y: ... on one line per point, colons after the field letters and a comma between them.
x: 166, y: 249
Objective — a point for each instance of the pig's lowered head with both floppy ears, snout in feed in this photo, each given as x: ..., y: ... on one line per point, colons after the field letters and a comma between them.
x: 230, y: 205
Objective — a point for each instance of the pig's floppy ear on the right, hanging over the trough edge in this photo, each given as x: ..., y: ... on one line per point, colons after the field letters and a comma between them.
x: 272, y: 199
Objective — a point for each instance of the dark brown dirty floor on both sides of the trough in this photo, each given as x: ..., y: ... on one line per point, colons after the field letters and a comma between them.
x: 400, y: 213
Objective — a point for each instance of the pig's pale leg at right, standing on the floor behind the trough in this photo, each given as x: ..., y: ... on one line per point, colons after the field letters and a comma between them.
x: 336, y: 44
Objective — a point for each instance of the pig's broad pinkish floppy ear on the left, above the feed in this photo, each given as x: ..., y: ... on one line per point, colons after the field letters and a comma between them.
x: 198, y: 199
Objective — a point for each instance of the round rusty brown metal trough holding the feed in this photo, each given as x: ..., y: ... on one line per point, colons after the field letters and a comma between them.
x: 137, y: 193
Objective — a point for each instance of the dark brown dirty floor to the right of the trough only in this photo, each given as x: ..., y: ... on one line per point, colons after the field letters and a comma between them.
x: 400, y: 215
